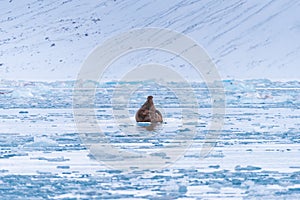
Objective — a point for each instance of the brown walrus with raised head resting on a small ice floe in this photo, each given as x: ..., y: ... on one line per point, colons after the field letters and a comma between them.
x: 148, y: 112
